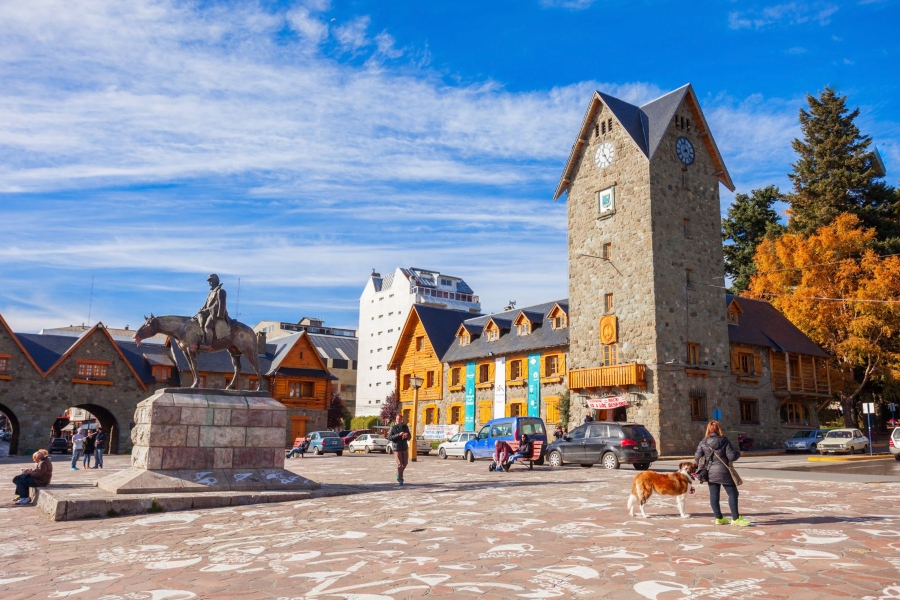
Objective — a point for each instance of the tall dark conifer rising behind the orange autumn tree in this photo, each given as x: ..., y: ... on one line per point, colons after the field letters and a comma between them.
x: 837, y: 172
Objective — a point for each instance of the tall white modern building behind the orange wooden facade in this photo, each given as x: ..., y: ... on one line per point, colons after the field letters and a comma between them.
x: 383, y: 308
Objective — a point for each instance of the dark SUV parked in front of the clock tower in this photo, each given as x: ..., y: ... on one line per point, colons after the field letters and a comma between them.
x: 608, y: 444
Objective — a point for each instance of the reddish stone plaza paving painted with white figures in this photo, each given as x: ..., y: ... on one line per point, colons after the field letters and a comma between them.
x: 458, y: 531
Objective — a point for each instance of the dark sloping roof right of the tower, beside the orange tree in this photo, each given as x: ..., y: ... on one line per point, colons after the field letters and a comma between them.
x: 762, y: 324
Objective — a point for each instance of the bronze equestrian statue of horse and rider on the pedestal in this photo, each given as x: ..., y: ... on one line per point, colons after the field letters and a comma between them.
x: 210, y: 330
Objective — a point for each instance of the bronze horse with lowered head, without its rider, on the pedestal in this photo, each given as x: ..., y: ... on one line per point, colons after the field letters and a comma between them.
x: 232, y: 335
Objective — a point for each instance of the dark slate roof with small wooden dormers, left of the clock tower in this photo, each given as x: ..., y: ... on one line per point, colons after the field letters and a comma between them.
x: 510, y: 342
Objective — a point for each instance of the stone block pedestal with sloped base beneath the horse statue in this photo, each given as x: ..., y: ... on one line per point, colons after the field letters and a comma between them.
x: 198, y: 440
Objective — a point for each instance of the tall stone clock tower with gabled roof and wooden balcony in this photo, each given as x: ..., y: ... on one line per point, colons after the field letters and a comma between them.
x: 648, y: 330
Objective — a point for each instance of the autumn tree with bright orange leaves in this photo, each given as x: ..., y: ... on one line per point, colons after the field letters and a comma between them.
x: 839, y: 292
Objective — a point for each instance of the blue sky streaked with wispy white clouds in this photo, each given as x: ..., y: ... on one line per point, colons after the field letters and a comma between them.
x: 298, y: 145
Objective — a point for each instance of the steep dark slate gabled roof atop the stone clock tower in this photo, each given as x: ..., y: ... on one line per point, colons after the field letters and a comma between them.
x: 646, y: 125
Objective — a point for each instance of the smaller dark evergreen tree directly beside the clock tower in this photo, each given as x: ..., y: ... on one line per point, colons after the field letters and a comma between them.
x: 749, y: 220
